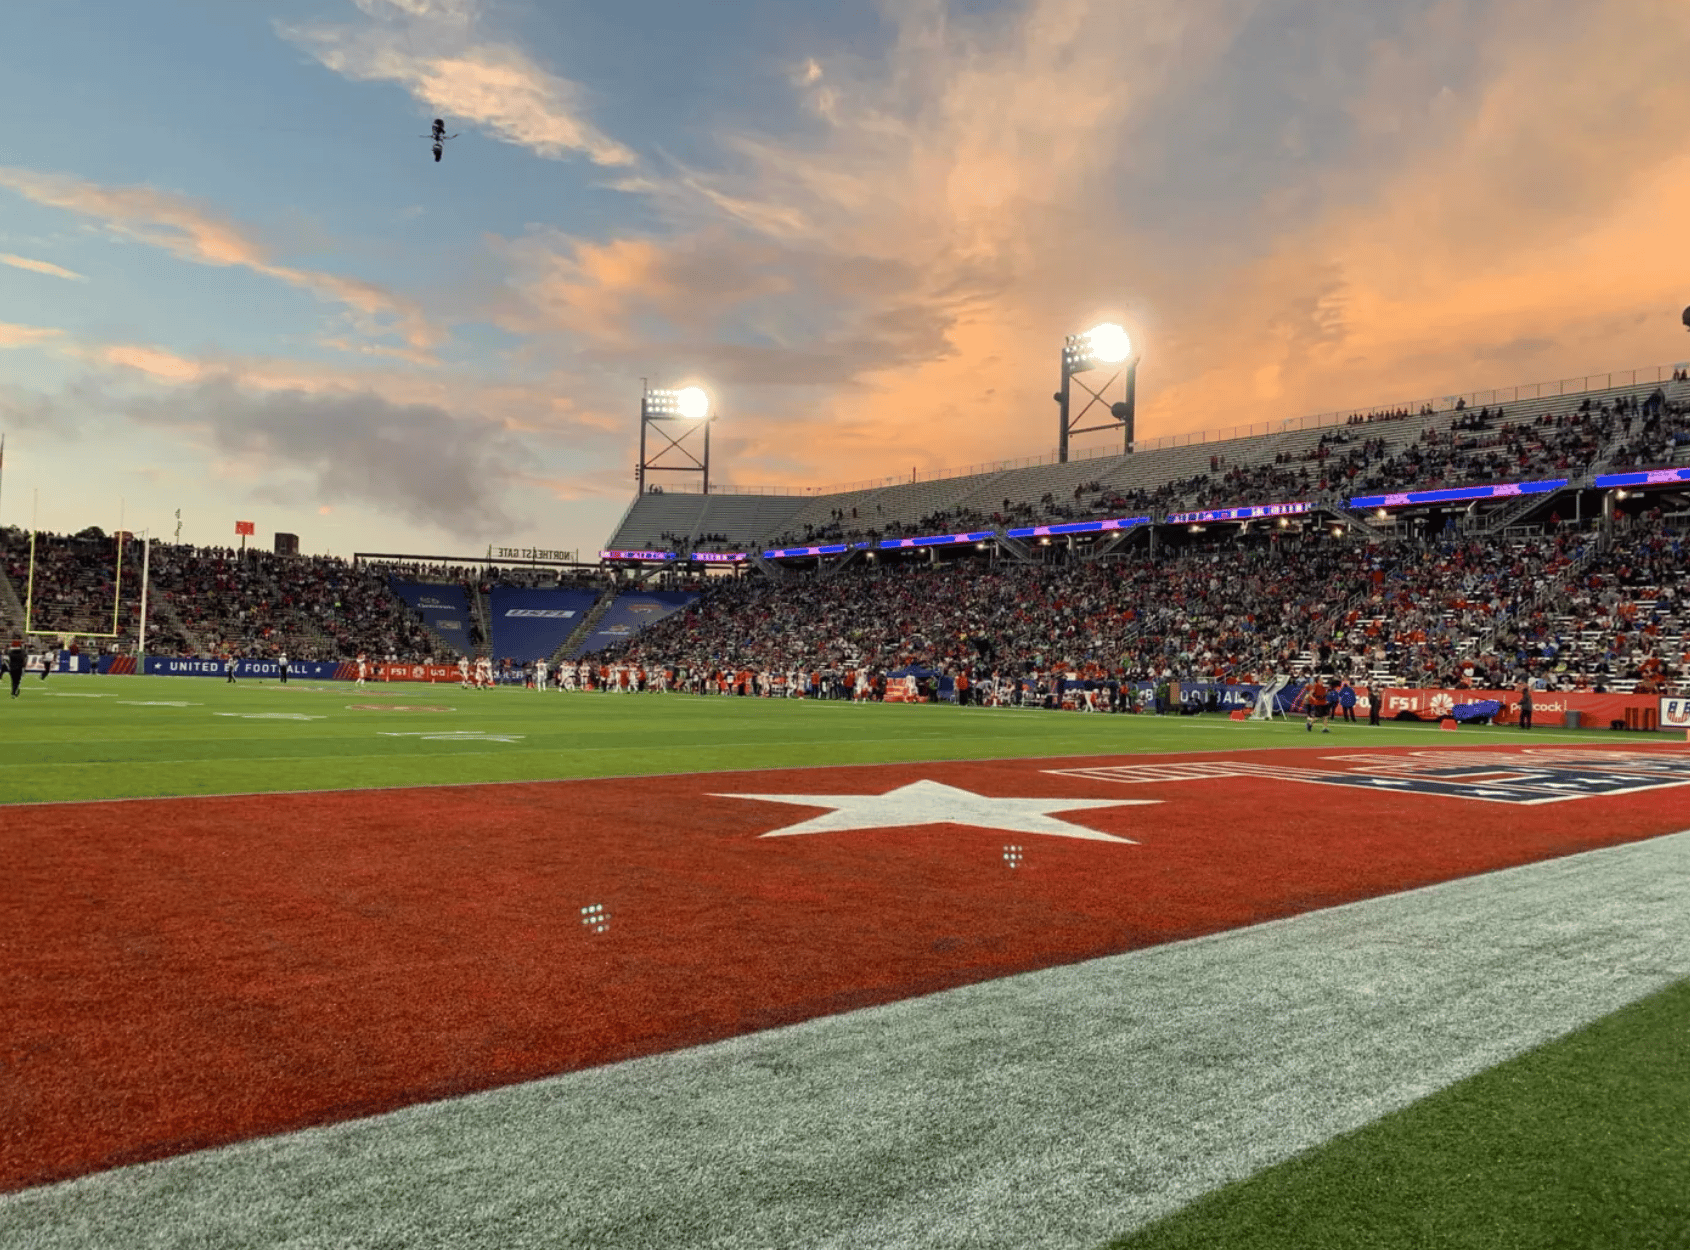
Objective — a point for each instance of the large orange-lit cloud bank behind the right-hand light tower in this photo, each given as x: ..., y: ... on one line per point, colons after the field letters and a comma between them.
x: 957, y: 214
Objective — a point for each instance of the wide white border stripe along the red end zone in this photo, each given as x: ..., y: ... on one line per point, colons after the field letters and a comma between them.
x: 1055, y: 1109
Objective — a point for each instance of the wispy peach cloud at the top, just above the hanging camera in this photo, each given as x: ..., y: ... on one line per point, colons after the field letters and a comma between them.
x: 439, y: 55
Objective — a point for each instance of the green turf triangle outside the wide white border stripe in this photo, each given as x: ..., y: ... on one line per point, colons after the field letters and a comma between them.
x: 1583, y: 1143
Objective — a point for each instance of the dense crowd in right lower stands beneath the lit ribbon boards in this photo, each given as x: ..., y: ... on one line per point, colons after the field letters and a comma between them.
x: 1444, y: 614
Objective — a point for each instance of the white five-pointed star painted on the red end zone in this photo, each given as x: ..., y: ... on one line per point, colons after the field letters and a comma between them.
x: 934, y: 803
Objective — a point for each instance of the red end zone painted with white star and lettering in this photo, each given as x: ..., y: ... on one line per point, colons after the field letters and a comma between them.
x: 190, y: 972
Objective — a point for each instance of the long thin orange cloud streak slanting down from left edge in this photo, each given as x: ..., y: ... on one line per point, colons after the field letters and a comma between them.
x: 195, y: 232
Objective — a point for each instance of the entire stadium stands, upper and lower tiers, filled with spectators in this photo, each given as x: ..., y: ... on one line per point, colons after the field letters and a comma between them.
x: 1567, y: 599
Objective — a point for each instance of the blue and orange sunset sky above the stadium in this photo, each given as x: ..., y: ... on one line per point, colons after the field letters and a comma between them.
x: 234, y: 283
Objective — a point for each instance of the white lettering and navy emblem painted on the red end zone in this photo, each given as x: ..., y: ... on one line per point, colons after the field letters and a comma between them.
x: 1520, y: 778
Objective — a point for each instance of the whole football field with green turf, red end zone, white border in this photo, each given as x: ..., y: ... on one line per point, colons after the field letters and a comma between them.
x: 415, y: 965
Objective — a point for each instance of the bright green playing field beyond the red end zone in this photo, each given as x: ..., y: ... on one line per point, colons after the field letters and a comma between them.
x: 62, y: 744
